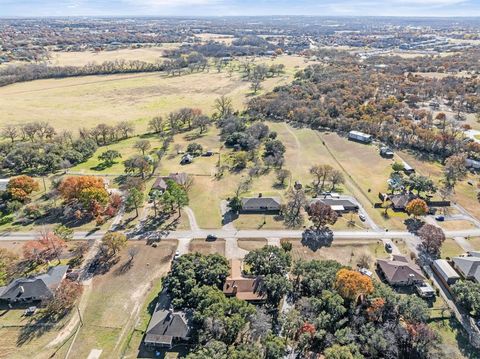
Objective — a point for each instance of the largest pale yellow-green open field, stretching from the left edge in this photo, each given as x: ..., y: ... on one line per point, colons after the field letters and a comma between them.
x: 72, y: 103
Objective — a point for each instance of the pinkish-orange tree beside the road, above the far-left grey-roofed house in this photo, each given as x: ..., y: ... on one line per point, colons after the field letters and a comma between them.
x: 47, y: 247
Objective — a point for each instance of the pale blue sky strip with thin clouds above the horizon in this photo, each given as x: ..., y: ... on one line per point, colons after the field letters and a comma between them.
x: 240, y: 7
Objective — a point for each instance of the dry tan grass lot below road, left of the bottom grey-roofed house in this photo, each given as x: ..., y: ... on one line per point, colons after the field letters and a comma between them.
x: 117, y: 297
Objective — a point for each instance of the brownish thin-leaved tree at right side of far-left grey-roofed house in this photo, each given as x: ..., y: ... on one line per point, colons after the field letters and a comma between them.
x: 64, y: 299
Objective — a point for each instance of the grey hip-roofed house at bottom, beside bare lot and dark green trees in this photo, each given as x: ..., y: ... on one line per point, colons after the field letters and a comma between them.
x: 167, y: 327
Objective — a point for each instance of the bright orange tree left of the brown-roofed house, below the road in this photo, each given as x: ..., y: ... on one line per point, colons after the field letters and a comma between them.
x: 351, y: 284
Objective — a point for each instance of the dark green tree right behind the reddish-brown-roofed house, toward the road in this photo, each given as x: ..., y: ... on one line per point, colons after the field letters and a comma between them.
x: 268, y: 260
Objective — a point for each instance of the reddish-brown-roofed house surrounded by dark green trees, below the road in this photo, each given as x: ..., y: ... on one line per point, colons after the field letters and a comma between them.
x: 248, y: 288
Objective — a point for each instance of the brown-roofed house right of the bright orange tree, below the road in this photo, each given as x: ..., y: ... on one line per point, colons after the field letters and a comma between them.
x: 399, y: 271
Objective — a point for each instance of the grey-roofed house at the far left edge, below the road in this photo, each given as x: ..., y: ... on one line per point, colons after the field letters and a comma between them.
x: 38, y: 288
